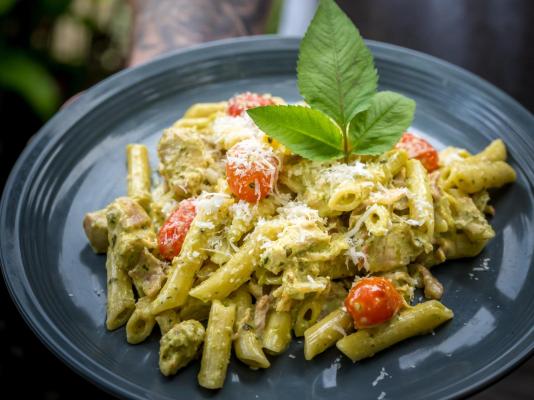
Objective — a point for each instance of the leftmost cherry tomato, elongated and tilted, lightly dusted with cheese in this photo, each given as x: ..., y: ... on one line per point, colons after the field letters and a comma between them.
x: 172, y: 233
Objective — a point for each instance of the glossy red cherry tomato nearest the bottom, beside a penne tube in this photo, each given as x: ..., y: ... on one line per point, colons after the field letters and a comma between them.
x: 372, y: 301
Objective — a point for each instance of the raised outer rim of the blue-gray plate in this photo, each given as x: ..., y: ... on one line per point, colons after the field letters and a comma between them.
x: 97, y: 94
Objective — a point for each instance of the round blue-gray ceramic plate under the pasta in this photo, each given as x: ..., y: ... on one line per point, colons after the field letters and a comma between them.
x: 77, y: 163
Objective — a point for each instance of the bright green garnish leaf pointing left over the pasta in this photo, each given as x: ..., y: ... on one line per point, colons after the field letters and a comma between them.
x: 306, y: 132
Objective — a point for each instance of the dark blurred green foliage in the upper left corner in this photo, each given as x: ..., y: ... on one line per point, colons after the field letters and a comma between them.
x: 52, y: 49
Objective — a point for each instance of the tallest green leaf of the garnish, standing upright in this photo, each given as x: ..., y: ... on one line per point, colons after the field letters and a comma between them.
x: 336, y: 74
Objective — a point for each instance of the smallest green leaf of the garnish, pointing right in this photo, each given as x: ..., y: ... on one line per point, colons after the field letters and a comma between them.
x: 381, y: 126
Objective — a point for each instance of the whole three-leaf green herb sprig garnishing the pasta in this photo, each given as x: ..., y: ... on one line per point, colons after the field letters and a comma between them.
x: 338, y: 80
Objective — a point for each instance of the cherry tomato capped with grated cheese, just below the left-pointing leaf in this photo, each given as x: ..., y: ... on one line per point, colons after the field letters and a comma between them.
x: 251, y: 171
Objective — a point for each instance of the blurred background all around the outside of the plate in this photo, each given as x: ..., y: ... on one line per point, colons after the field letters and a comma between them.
x: 51, y: 50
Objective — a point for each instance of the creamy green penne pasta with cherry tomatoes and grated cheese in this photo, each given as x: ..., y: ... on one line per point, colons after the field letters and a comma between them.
x: 241, y: 244
